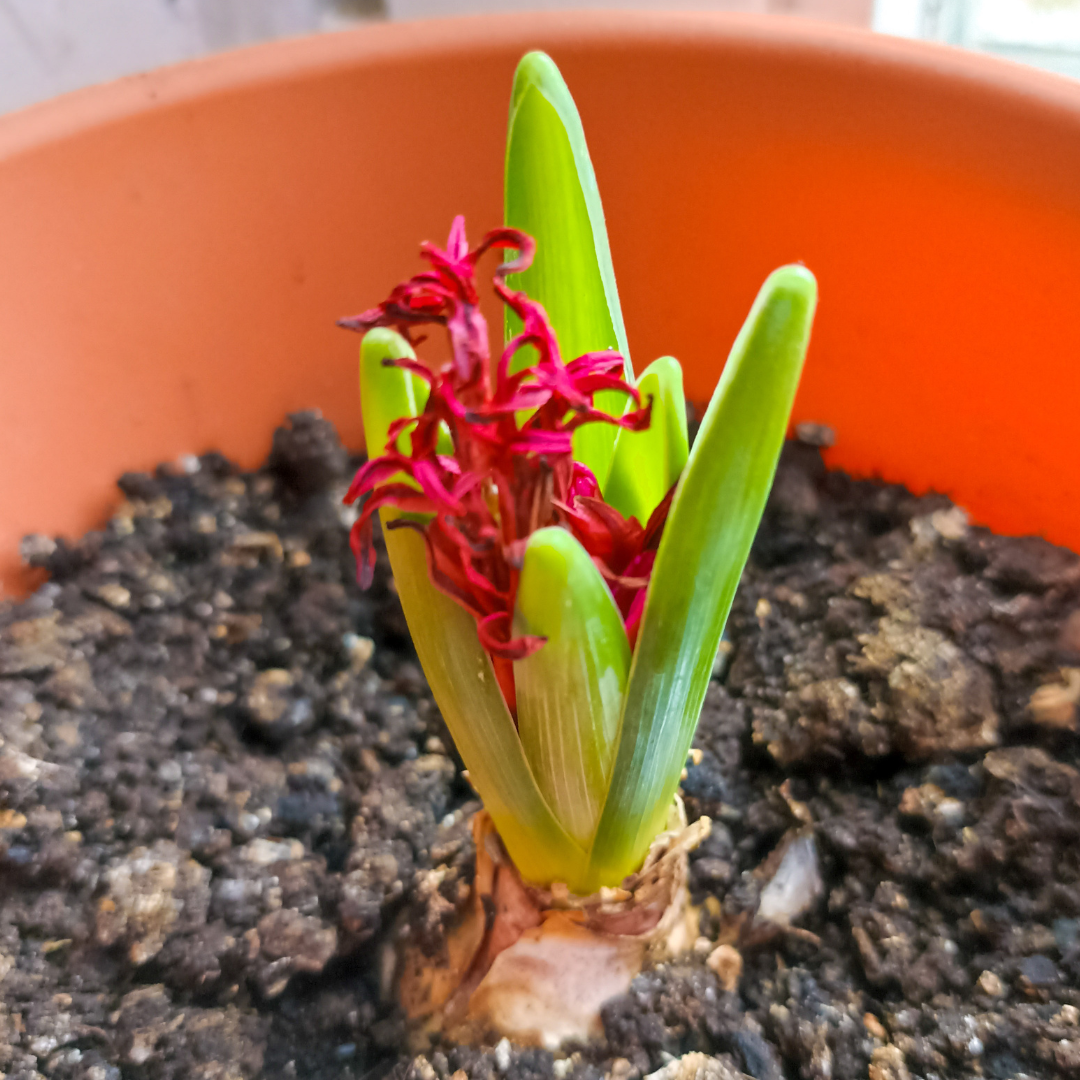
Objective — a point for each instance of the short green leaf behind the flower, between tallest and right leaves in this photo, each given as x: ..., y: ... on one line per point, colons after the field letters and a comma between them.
x: 646, y: 464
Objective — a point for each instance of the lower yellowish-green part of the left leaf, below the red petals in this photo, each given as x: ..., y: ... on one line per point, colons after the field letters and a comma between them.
x: 465, y: 687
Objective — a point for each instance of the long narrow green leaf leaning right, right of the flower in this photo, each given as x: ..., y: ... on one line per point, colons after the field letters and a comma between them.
x: 714, y: 517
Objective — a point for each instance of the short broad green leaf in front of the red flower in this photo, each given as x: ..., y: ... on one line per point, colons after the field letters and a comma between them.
x: 570, y: 693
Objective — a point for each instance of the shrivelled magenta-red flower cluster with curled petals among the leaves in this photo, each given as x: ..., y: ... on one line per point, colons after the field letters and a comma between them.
x: 507, y: 478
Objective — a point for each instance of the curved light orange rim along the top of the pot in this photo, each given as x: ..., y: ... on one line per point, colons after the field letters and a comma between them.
x: 191, y: 80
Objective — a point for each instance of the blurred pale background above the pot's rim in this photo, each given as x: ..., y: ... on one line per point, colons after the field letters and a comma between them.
x: 49, y: 47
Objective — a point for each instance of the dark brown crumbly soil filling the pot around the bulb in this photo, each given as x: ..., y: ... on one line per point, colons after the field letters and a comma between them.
x: 225, y: 789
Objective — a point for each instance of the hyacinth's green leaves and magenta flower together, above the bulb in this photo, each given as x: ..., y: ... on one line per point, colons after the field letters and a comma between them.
x: 565, y: 562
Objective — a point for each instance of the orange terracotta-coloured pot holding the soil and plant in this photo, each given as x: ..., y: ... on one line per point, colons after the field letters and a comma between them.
x: 177, y: 247
